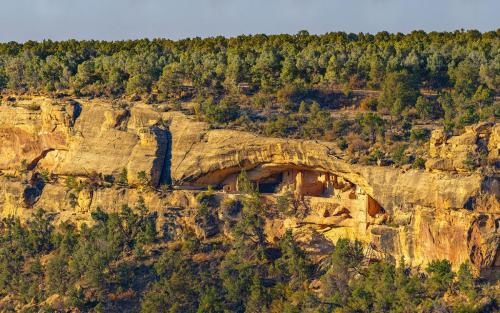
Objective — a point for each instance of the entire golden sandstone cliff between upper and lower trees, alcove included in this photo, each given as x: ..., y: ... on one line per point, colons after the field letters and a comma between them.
x: 447, y: 211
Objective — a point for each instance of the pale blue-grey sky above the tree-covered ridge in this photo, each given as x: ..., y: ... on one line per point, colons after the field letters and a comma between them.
x: 22, y: 20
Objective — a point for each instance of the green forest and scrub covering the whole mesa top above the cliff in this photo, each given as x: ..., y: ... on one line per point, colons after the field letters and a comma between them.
x: 369, y: 93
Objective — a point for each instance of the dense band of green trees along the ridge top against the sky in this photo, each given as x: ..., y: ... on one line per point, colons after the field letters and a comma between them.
x: 464, y: 62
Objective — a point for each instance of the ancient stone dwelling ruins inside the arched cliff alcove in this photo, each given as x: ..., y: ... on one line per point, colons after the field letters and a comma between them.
x: 331, y: 200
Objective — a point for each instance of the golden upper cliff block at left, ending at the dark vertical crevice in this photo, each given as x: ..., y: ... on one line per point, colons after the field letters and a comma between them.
x: 79, y: 138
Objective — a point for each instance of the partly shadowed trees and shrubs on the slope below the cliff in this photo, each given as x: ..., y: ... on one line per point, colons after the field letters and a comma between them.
x: 121, y: 263
